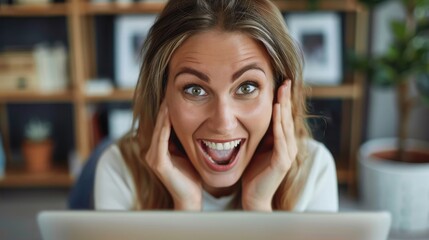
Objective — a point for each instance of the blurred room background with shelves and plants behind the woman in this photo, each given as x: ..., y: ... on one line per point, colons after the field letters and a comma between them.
x: 68, y: 68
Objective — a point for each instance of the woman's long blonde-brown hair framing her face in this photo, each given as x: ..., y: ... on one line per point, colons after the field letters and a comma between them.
x: 259, y: 19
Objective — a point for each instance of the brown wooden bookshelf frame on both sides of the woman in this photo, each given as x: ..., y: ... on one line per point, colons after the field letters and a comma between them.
x: 80, y: 23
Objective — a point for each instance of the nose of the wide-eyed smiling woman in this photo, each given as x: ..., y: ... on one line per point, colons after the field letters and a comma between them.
x: 222, y: 119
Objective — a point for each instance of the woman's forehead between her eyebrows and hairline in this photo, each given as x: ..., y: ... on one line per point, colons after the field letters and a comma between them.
x: 220, y: 47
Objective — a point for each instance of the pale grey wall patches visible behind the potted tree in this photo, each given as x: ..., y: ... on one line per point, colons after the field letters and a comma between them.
x: 382, y: 112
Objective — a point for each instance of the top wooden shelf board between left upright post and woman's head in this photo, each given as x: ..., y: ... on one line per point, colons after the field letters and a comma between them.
x: 117, y: 8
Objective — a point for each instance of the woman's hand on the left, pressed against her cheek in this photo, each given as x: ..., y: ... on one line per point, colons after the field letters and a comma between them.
x: 175, y: 171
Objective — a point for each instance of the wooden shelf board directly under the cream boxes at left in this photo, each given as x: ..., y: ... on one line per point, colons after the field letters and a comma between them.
x: 32, y: 96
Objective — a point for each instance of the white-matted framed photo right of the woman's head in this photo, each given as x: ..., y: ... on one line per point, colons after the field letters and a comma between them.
x: 319, y: 37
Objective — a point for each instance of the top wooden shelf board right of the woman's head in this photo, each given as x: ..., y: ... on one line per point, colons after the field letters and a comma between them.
x: 325, y: 5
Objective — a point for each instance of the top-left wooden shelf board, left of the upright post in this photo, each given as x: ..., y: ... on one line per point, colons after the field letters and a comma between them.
x: 46, y: 10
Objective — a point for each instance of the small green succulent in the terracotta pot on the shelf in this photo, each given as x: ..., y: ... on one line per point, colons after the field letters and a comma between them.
x: 37, y: 130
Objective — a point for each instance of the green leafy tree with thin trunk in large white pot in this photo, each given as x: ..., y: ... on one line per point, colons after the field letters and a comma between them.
x: 405, y: 61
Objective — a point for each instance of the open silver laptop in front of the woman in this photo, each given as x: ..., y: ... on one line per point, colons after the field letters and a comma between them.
x: 168, y: 225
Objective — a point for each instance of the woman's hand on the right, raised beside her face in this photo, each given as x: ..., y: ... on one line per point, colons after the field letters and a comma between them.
x: 273, y: 158
